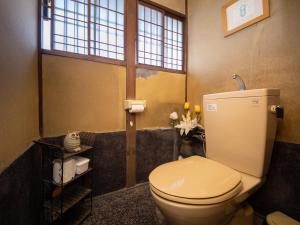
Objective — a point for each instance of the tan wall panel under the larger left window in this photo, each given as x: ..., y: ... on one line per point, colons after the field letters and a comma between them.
x: 81, y: 95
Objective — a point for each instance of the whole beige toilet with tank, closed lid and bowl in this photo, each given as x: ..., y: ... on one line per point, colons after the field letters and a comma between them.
x: 240, y: 129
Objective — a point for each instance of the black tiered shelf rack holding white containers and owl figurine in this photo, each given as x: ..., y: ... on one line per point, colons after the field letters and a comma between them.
x: 61, y: 198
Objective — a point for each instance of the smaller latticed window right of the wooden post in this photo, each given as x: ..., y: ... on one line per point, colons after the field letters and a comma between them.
x: 160, y: 38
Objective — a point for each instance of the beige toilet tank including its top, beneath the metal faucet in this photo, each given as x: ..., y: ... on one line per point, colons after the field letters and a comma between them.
x: 240, y: 129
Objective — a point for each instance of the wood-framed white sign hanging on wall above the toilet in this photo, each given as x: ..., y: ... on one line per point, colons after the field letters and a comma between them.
x: 238, y: 14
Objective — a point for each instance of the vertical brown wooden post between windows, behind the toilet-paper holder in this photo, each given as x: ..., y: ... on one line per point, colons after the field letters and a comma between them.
x: 131, y: 27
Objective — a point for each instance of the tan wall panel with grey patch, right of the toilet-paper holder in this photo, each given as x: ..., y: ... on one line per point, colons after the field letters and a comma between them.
x: 165, y: 93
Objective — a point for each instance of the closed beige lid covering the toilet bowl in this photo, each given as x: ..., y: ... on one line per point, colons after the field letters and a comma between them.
x: 195, y: 177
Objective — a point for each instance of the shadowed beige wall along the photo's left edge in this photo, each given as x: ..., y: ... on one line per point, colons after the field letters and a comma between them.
x: 18, y: 78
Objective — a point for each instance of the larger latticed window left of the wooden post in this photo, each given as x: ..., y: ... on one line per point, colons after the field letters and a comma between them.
x: 87, y: 27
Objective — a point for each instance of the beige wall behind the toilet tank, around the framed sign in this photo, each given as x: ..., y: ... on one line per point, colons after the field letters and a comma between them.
x: 265, y: 55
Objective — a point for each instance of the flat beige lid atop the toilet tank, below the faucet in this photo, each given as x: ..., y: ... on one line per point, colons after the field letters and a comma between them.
x: 244, y: 94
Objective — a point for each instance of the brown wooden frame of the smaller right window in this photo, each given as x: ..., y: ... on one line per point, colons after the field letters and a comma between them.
x: 165, y: 12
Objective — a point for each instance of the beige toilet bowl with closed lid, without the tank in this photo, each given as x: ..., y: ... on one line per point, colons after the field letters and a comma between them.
x: 199, y: 191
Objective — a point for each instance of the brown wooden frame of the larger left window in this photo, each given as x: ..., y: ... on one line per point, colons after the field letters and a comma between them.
x: 87, y: 57
